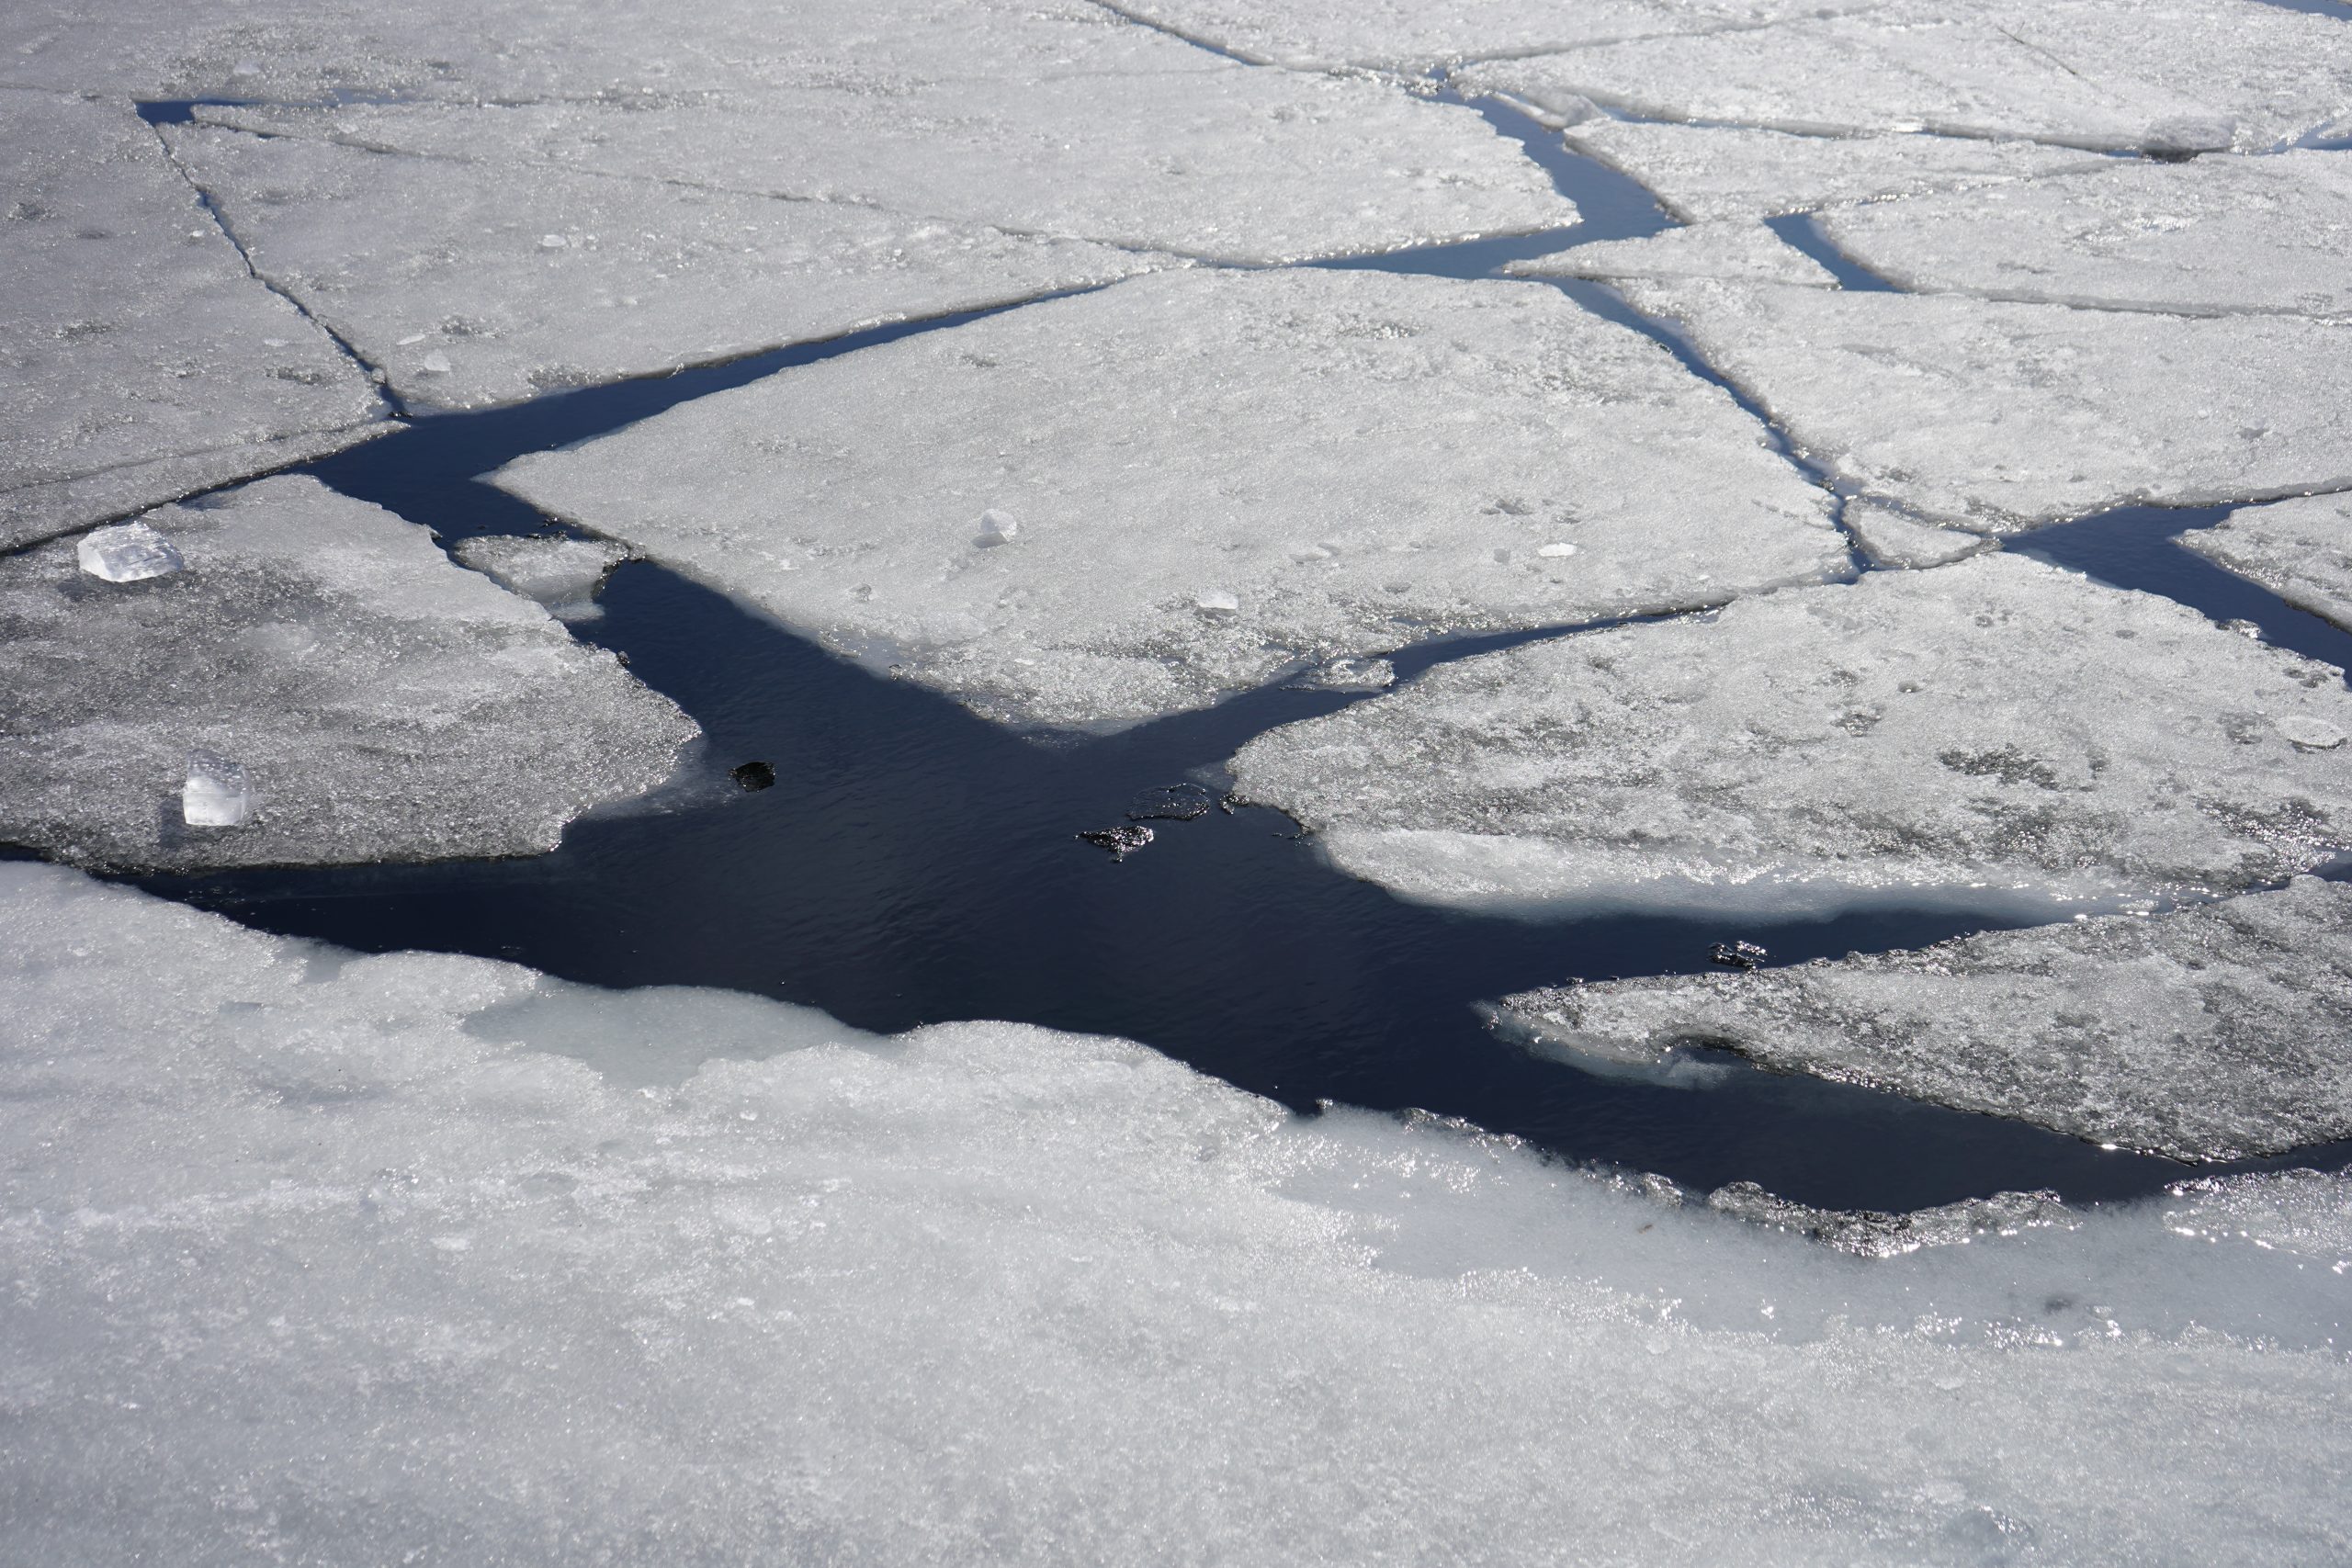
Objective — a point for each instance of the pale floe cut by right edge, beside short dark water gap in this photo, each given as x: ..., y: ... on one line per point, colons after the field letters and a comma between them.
x: 2198, y: 239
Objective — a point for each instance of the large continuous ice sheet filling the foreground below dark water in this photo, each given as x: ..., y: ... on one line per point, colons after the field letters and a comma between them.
x: 375, y: 1259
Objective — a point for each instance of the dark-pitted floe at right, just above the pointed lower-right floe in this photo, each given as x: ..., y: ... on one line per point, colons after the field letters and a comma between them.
x: 1996, y: 735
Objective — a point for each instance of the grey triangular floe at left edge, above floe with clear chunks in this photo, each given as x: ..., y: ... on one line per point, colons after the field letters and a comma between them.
x: 142, y: 359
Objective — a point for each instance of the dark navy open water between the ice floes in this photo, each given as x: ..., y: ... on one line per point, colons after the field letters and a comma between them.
x: 916, y: 864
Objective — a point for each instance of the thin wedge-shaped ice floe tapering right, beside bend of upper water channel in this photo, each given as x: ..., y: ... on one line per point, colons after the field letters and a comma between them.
x: 1720, y: 173
